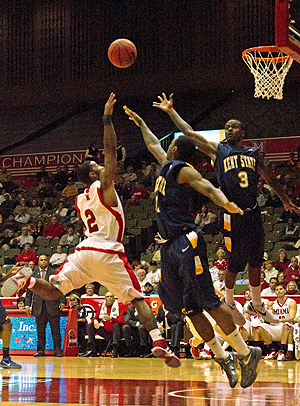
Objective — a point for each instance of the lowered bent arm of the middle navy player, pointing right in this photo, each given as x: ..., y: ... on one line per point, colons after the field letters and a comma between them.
x: 193, y: 178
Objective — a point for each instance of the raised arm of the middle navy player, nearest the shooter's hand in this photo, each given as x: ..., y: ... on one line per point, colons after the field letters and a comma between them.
x: 151, y: 141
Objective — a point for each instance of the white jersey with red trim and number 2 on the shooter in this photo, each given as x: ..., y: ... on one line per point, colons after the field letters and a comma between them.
x: 99, y: 218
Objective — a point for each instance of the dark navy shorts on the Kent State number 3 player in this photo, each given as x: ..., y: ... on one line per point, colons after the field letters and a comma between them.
x: 244, y: 239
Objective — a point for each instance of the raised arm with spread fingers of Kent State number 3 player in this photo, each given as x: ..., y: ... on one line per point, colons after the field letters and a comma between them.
x: 165, y: 104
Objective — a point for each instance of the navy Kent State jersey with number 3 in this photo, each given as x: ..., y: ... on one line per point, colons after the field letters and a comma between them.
x: 237, y: 173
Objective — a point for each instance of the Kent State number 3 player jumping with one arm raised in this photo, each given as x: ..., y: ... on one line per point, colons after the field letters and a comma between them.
x: 238, y: 169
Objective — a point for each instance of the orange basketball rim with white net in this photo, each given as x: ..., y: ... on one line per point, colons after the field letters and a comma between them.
x: 269, y: 67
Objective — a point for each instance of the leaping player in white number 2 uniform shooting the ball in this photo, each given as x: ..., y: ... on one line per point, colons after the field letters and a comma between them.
x: 101, y: 256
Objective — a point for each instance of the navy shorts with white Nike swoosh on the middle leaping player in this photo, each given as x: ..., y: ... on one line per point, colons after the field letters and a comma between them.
x: 186, y: 285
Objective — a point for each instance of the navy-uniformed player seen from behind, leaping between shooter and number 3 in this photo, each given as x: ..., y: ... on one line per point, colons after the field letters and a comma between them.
x: 186, y: 285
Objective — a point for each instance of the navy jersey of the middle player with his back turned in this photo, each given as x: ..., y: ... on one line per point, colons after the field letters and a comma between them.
x: 173, y: 202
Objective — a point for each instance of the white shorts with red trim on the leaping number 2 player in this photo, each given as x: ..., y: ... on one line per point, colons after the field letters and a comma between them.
x: 96, y: 259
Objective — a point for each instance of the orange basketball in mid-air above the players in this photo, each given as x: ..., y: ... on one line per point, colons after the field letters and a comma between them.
x: 122, y: 53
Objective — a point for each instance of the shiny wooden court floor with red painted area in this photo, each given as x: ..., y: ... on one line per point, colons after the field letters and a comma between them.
x: 124, y: 382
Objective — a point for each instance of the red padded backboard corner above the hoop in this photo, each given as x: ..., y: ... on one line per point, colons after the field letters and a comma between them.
x: 287, y: 27
